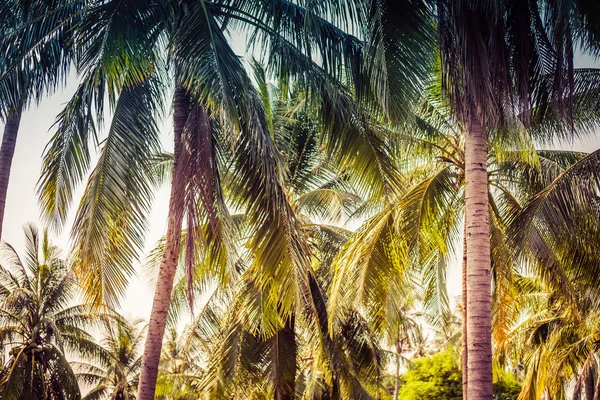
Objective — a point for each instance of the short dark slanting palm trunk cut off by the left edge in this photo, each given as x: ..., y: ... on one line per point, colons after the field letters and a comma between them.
x: 9, y: 141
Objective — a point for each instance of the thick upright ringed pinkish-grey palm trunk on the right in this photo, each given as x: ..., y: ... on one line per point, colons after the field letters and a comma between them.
x: 479, y: 301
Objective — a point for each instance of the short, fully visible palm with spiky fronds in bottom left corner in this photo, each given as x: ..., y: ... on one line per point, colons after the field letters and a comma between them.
x: 38, y: 325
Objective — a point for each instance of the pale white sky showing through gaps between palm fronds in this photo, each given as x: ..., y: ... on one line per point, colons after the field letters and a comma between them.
x: 22, y: 203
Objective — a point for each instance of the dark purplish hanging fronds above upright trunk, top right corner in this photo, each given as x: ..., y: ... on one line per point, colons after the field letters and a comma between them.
x: 502, y: 58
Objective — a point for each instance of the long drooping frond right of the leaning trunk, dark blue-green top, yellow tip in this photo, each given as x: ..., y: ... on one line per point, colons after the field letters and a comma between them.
x: 278, y: 248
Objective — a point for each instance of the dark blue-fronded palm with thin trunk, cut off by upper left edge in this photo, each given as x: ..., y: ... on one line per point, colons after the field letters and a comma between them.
x: 30, y: 68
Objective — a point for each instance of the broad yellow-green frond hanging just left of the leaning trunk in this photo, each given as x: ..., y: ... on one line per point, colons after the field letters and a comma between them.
x: 110, y: 223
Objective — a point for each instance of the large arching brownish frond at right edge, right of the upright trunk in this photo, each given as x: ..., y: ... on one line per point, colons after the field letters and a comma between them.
x: 562, y: 209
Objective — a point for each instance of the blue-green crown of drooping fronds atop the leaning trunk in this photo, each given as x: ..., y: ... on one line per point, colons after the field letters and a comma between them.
x: 135, y: 64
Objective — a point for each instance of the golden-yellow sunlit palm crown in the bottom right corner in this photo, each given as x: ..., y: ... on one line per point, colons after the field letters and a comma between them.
x: 553, y: 344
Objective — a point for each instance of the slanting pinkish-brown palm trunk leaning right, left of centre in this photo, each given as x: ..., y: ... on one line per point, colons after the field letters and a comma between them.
x: 168, y: 266
